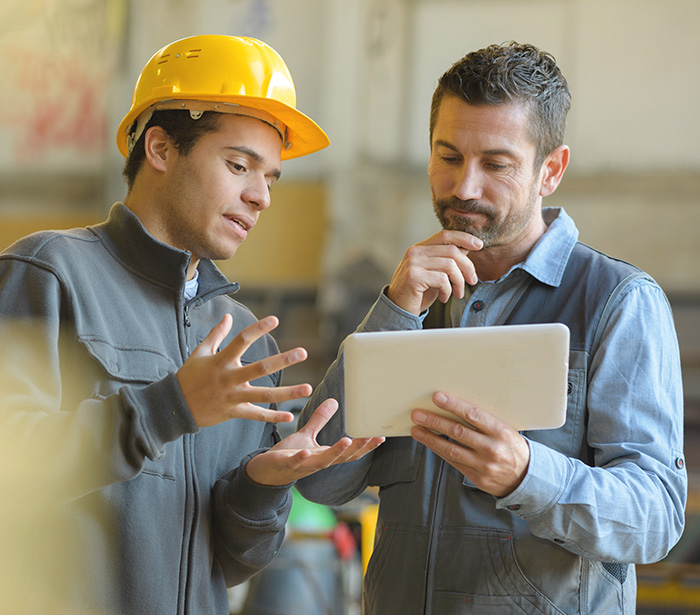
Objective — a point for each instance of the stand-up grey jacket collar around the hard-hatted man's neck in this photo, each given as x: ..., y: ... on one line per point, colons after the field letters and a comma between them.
x: 131, y: 244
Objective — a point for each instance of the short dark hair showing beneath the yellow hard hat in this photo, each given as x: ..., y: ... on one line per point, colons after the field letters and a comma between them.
x: 181, y: 128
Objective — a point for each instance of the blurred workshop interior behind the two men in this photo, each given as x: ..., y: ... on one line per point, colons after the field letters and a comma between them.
x: 342, y: 218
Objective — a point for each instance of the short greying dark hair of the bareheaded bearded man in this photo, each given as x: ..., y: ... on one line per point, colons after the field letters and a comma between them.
x: 511, y: 72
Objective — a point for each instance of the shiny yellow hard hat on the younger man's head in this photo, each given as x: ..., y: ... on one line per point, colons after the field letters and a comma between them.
x: 229, y: 74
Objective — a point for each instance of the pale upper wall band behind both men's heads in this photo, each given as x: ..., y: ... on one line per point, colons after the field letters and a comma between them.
x: 365, y: 70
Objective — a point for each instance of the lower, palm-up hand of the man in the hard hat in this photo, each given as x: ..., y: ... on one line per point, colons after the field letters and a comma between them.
x: 299, y: 454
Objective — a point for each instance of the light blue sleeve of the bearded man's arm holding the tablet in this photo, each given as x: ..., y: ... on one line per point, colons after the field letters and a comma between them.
x: 628, y: 505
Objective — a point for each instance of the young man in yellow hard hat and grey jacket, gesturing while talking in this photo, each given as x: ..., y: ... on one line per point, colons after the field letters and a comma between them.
x: 137, y: 397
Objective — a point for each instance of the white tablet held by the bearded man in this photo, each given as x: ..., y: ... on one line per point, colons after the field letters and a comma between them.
x: 516, y: 372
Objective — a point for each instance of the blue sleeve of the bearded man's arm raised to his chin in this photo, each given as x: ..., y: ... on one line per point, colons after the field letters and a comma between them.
x: 343, y: 482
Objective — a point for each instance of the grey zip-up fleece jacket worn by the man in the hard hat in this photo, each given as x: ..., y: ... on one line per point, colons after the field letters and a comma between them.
x: 122, y: 503
